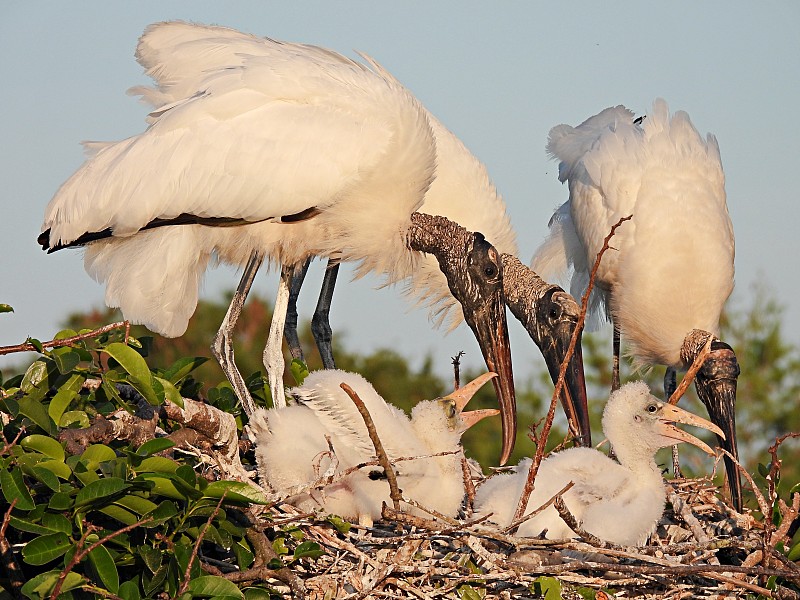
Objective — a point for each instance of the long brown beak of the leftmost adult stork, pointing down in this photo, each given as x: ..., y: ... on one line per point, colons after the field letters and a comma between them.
x: 491, y: 331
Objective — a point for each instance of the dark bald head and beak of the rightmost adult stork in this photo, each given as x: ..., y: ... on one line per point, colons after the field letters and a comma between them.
x: 716, y: 388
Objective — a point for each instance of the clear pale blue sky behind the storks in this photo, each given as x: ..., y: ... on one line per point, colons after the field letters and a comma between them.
x: 499, y: 75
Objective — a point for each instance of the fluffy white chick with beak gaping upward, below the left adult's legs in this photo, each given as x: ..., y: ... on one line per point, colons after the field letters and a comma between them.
x: 292, y: 450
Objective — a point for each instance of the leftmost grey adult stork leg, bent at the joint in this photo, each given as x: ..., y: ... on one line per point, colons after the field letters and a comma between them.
x: 222, y: 346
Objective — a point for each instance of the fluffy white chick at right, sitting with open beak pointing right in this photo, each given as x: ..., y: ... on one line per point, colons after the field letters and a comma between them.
x: 620, y: 502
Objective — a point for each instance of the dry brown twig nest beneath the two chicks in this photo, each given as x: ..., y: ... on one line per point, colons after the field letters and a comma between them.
x: 702, y: 548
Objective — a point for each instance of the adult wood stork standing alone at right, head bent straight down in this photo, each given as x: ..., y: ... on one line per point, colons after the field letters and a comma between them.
x: 671, y: 270
